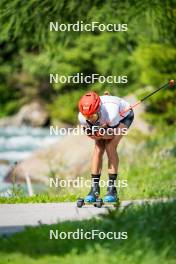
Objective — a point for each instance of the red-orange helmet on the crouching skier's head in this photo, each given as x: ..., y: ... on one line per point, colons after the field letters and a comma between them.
x: 89, y: 103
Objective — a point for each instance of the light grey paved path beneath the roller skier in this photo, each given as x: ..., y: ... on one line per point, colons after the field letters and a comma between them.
x: 15, y: 217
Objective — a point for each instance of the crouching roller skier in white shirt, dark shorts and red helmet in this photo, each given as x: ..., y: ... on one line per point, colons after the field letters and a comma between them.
x: 104, y: 114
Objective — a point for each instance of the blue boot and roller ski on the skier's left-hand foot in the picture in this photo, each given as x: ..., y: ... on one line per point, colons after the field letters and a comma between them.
x: 92, y: 198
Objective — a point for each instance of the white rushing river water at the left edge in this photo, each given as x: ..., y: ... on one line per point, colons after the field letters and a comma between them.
x: 17, y: 144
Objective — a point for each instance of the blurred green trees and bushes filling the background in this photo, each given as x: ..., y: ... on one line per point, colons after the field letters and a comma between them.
x: 146, y: 53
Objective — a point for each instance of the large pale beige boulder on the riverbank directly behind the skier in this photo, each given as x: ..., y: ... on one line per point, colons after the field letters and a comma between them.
x: 69, y: 157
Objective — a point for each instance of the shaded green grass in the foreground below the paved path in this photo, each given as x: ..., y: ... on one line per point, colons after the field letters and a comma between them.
x: 151, y: 239
